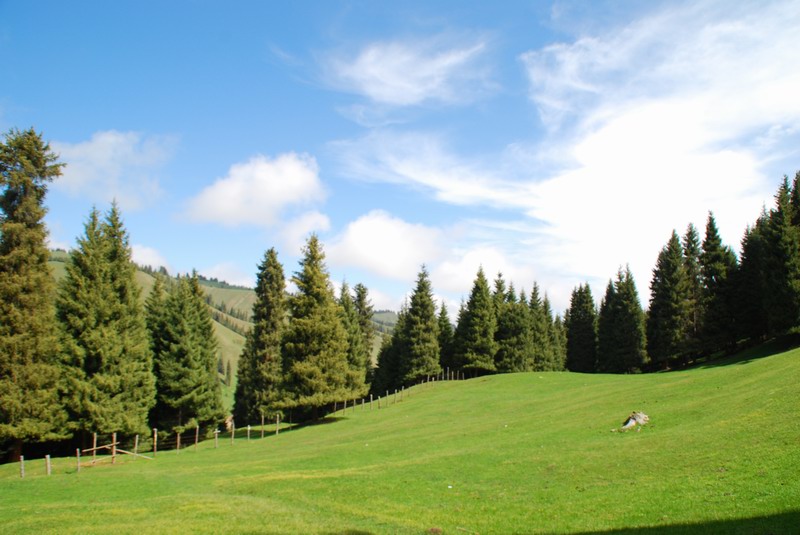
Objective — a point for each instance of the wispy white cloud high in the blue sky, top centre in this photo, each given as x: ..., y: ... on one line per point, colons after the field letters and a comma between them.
x: 412, y: 72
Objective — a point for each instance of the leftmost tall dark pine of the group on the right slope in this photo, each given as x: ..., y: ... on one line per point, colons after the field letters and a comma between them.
x: 668, y: 322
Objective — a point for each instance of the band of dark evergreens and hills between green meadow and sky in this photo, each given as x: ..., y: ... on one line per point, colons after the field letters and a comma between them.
x: 111, y: 348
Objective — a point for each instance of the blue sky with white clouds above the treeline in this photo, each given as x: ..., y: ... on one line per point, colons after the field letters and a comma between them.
x: 551, y: 141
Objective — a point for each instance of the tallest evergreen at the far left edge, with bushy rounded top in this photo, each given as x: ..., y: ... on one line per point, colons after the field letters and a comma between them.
x: 30, y: 408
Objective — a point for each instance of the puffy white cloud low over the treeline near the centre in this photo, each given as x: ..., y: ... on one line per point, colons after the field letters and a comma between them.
x: 386, y: 245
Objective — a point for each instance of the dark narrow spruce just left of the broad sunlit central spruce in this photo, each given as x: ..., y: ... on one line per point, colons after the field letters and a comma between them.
x: 259, y: 374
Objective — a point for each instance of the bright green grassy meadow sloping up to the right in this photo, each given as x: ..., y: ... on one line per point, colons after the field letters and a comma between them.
x: 521, y: 453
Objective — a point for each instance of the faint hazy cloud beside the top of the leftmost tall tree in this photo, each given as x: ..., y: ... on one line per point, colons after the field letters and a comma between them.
x: 115, y: 165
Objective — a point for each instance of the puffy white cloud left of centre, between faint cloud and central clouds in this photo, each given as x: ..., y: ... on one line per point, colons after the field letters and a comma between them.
x: 257, y: 191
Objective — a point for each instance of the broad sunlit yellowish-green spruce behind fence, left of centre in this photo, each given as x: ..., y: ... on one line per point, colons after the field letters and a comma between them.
x: 314, y: 345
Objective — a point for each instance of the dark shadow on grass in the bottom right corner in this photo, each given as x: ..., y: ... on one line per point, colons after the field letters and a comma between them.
x: 779, y: 524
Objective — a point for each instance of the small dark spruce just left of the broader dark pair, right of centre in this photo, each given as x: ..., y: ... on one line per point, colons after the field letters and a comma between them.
x: 581, y: 326
